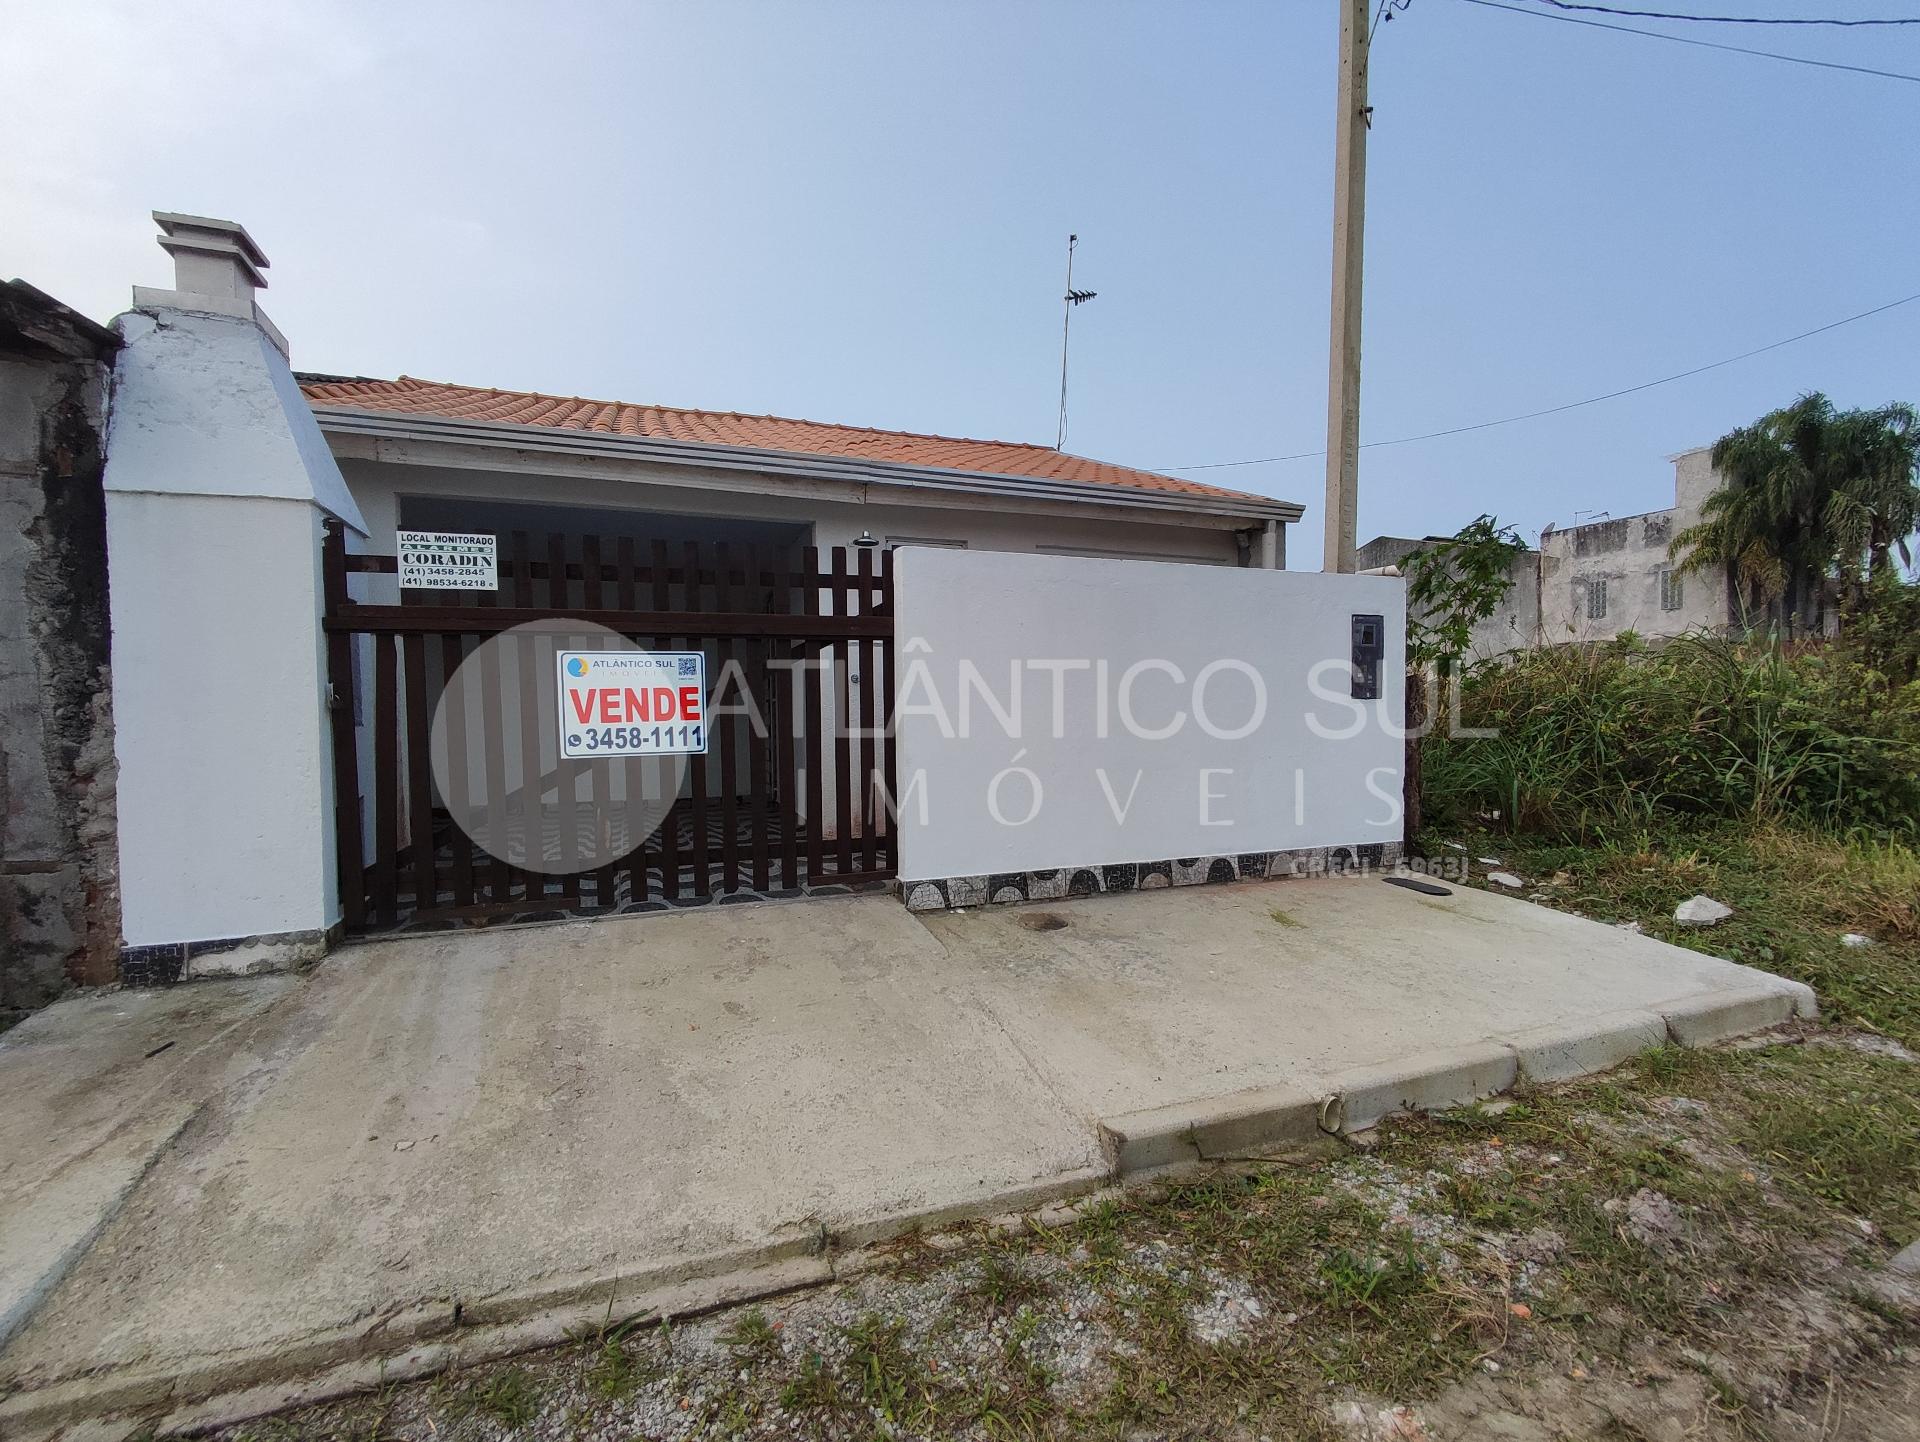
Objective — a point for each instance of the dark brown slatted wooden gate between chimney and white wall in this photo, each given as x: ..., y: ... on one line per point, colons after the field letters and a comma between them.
x: 800, y: 802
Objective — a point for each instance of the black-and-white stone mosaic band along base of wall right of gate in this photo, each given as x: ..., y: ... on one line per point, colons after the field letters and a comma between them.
x: 1147, y: 877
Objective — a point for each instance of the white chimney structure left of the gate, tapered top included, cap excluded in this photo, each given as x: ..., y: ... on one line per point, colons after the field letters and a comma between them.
x: 218, y: 485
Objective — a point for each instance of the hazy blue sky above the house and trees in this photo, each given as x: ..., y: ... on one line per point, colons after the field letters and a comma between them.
x: 857, y: 212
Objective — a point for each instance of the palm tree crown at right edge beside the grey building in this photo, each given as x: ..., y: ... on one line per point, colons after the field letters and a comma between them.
x: 1810, y: 494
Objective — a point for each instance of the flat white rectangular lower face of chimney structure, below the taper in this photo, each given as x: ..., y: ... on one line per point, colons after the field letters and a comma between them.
x: 226, y: 804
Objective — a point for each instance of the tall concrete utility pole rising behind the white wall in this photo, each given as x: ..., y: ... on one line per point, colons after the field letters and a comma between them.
x: 1349, y: 229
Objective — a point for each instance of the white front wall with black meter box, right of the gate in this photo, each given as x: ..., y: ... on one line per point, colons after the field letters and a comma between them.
x: 1191, y: 794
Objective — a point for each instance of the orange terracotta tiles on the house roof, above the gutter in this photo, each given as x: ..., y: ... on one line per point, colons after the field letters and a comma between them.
x: 769, y: 433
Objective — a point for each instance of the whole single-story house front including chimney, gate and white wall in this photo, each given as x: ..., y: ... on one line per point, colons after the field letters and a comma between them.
x: 287, y: 765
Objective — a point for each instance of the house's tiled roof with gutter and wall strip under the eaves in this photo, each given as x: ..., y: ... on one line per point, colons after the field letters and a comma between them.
x: 429, y: 456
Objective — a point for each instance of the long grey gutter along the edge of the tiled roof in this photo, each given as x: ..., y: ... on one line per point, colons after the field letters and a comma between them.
x: 502, y: 435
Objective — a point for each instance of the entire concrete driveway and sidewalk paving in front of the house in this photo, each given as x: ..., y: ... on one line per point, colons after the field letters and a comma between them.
x: 475, y: 1142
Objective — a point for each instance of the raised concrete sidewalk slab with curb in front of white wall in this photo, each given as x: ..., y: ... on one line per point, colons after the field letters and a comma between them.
x: 1241, y: 1019
